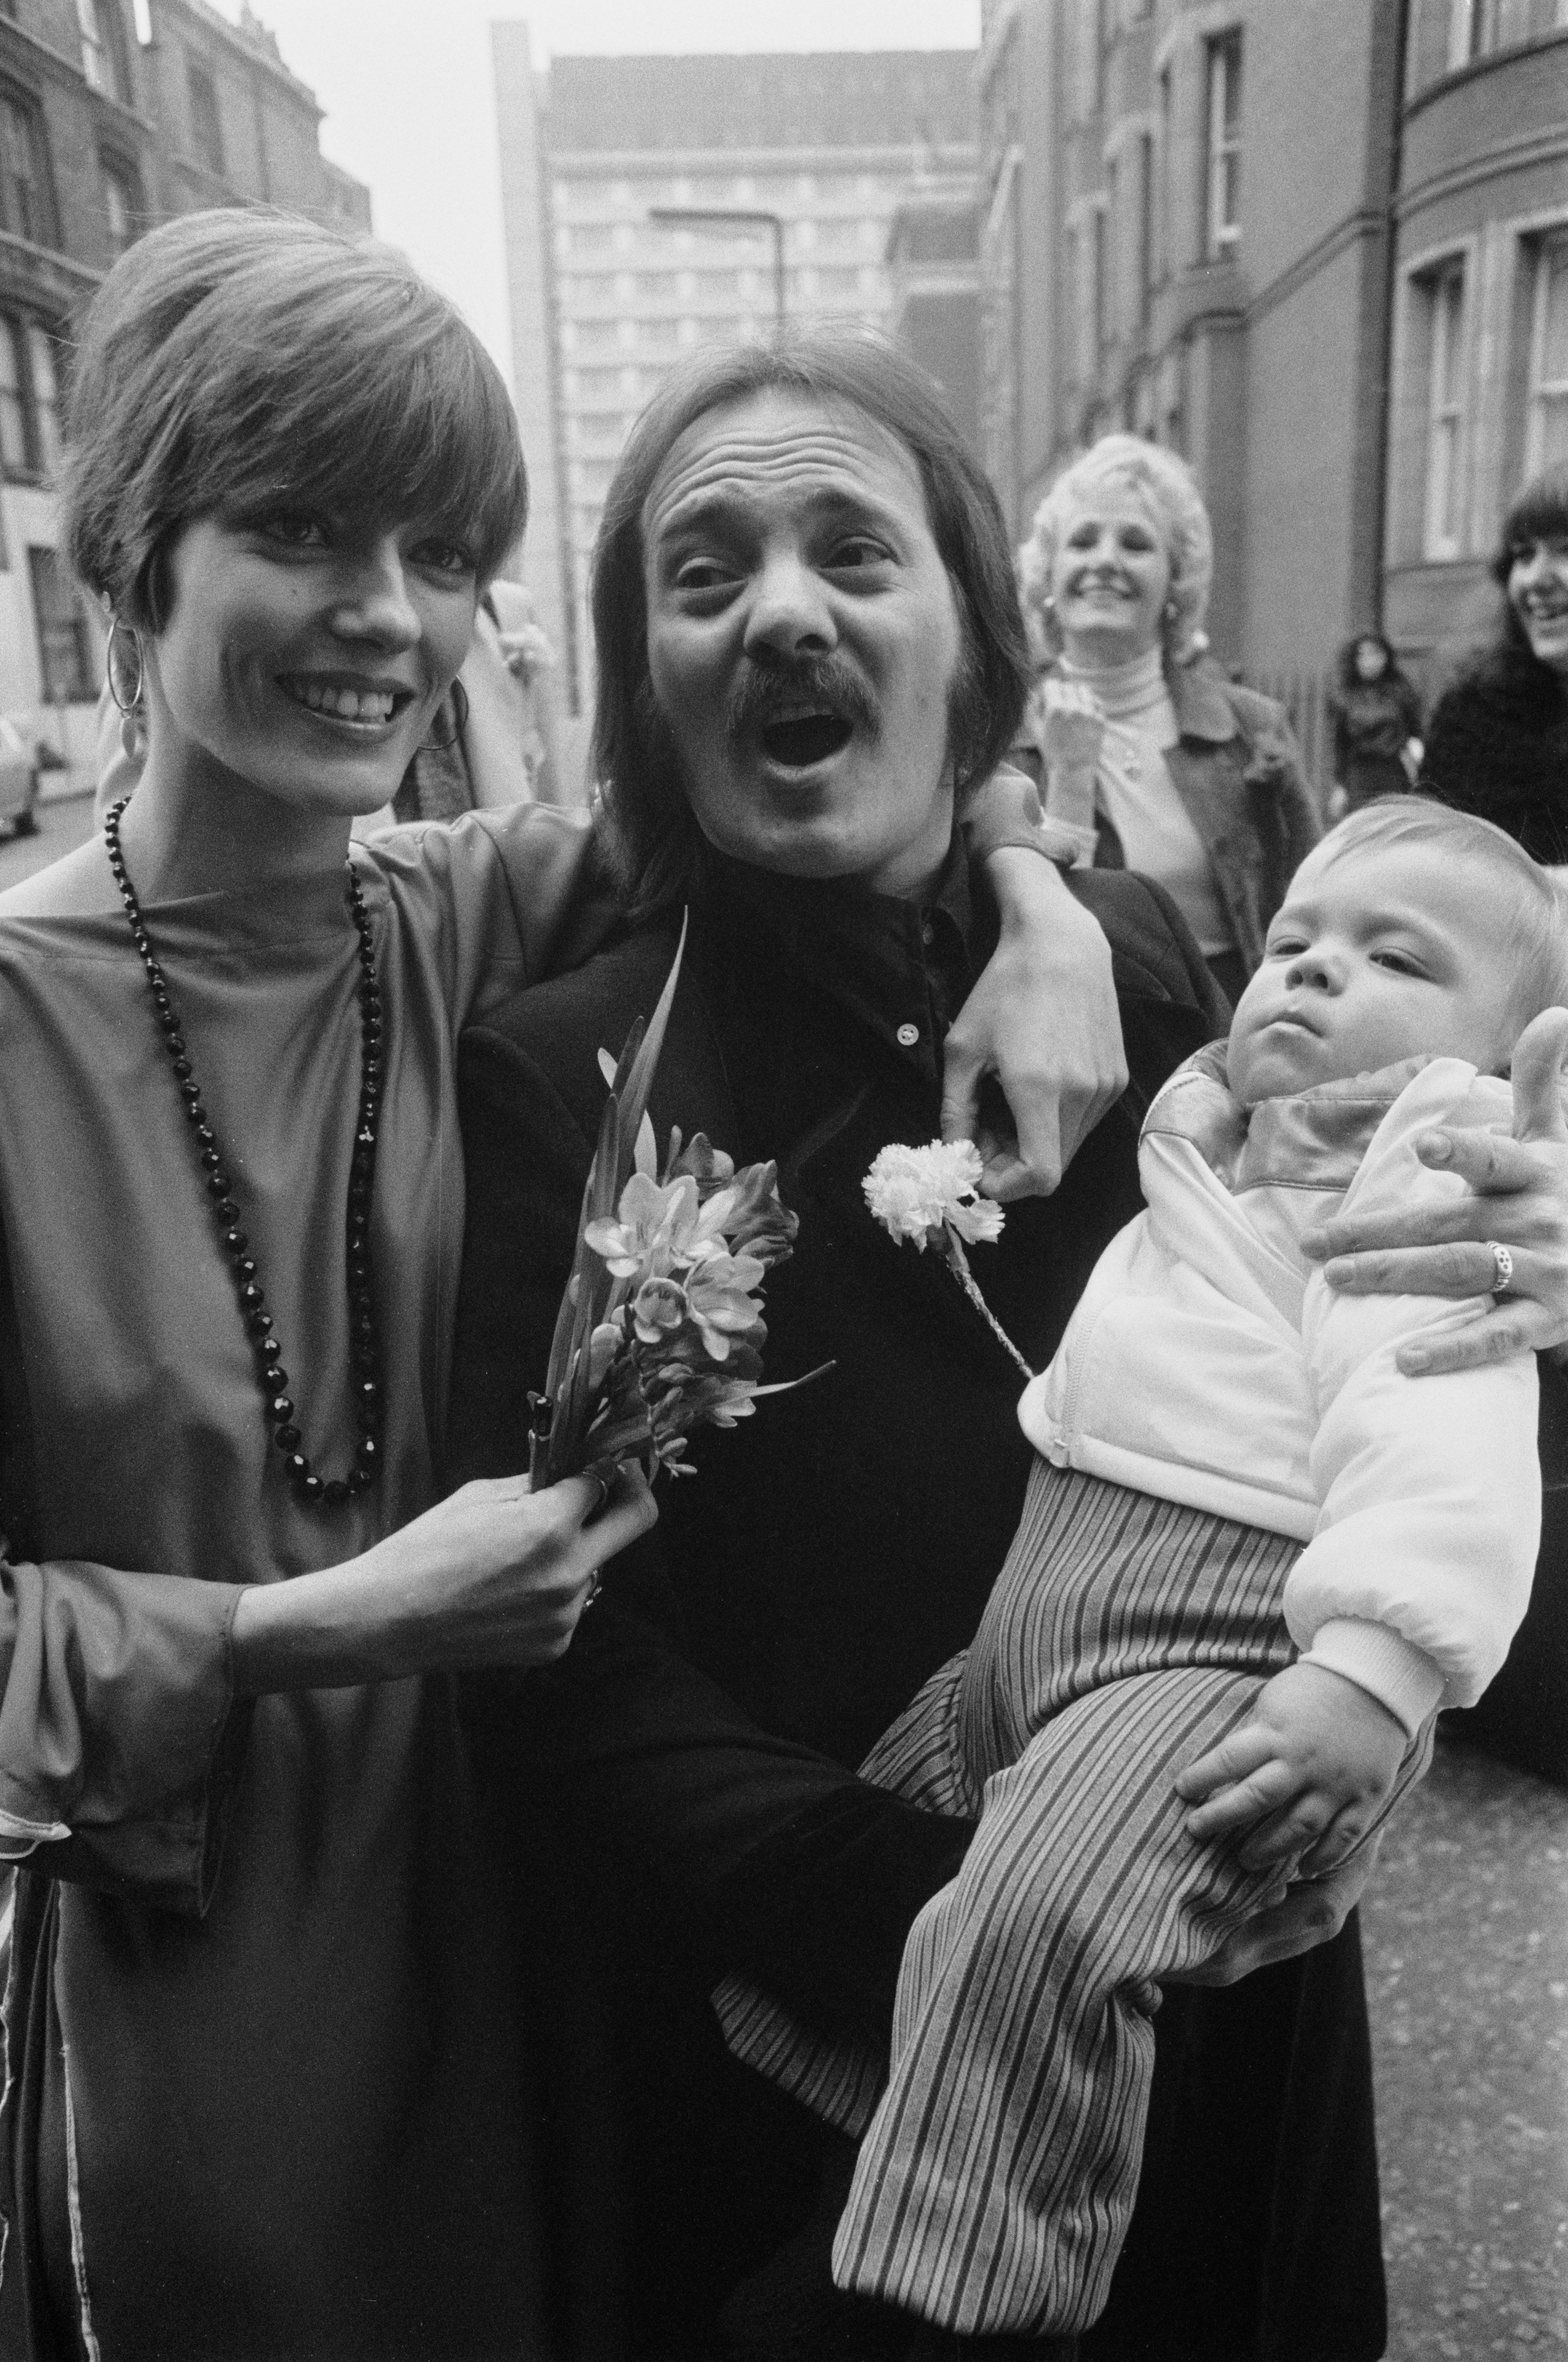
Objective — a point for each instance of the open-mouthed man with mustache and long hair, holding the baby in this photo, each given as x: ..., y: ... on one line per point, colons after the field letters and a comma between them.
x: 811, y: 651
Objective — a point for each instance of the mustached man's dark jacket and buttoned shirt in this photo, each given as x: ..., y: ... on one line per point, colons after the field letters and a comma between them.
x: 830, y: 1555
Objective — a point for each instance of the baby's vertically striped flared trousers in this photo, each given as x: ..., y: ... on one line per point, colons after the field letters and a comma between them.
x: 1002, y: 2148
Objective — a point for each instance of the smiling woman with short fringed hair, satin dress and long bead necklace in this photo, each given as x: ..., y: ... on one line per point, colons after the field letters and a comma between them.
x: 263, y: 2080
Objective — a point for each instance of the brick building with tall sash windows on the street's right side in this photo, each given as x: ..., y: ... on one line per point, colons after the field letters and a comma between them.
x: 1324, y: 252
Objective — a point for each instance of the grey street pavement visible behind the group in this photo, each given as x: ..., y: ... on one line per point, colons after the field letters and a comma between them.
x: 1468, y: 1976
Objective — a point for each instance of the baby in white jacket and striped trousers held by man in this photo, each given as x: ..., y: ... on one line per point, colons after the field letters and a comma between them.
x: 1253, y: 1565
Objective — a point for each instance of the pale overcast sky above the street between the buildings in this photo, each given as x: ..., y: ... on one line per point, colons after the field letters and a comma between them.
x: 410, y: 105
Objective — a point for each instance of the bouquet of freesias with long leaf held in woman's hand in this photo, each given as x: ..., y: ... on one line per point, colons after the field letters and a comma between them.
x: 662, y: 1326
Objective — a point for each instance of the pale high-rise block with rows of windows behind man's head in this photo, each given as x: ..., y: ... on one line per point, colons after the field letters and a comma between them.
x: 816, y: 150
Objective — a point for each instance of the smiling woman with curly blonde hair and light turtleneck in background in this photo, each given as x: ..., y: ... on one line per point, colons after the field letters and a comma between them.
x: 1149, y: 752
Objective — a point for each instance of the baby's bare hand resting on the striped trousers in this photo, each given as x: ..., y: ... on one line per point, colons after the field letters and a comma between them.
x: 1305, y: 1775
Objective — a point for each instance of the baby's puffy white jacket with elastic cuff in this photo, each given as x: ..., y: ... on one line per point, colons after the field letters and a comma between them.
x: 1210, y: 1364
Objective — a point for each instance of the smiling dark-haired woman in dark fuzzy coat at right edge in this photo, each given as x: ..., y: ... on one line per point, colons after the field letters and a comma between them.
x: 1498, y: 740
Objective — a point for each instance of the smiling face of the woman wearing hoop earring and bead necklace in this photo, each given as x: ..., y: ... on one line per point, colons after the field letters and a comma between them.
x: 306, y: 653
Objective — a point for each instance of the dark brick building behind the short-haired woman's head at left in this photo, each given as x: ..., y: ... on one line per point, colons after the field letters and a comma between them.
x: 112, y: 117
